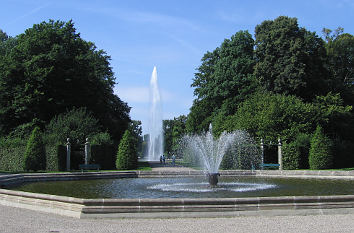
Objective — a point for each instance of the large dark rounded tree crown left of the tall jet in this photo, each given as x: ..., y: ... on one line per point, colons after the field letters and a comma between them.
x: 51, y: 69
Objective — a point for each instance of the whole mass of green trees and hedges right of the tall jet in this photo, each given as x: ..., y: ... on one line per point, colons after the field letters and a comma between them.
x: 284, y: 82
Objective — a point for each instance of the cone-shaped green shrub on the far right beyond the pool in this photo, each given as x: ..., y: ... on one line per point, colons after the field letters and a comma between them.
x: 320, y: 156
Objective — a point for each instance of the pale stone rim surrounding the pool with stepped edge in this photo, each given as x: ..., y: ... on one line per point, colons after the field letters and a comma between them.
x: 175, y: 207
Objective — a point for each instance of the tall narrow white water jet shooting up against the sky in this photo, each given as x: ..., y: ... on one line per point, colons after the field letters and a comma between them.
x: 155, y: 126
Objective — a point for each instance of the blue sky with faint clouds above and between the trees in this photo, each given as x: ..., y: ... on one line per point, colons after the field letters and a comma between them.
x: 172, y: 35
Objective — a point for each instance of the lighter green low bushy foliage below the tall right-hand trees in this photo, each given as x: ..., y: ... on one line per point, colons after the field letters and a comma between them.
x: 270, y: 116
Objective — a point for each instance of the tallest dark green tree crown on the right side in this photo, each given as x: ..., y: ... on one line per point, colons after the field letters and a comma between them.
x: 290, y: 59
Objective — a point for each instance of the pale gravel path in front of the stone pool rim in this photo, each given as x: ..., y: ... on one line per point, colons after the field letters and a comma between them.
x: 13, y: 220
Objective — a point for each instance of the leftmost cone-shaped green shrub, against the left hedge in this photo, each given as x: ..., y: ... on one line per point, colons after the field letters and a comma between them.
x: 35, y: 157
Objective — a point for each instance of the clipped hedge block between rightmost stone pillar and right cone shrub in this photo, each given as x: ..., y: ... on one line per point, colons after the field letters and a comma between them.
x: 291, y: 156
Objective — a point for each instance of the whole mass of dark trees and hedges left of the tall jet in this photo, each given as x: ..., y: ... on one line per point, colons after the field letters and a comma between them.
x: 53, y: 79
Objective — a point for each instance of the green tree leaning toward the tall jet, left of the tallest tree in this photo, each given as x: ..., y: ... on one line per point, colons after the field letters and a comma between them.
x: 224, y: 75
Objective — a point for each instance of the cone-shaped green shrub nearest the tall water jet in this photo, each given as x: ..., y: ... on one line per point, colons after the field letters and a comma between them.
x: 127, y: 152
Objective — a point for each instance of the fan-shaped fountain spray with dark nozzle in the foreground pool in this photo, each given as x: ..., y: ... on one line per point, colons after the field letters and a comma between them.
x: 209, y: 151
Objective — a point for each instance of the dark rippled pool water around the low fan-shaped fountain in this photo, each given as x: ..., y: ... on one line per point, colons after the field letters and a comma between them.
x: 191, y: 187
